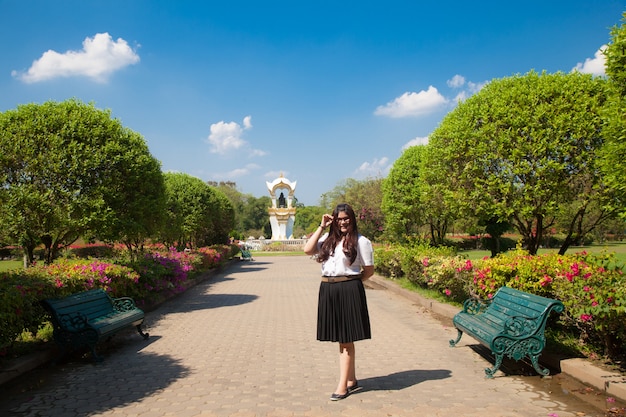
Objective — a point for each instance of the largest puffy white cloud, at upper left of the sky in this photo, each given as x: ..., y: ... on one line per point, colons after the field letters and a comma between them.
x: 99, y: 58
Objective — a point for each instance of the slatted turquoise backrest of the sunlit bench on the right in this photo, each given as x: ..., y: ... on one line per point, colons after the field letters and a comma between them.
x: 508, y: 303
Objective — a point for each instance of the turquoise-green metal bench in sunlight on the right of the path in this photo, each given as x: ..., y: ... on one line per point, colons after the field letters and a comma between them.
x: 512, y: 323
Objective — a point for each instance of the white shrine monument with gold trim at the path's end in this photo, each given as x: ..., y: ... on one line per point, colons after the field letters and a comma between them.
x: 282, y: 214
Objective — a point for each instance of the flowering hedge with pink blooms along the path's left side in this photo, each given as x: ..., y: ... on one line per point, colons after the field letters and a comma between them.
x: 157, y: 274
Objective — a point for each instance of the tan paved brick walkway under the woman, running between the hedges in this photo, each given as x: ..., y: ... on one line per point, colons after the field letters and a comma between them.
x: 243, y: 344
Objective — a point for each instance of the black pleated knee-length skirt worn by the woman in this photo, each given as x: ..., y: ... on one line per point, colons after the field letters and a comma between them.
x: 342, y: 314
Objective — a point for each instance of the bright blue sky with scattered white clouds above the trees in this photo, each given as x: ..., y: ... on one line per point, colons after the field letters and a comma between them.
x: 319, y: 91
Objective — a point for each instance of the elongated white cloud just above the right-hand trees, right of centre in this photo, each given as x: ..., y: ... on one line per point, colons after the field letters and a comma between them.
x: 413, y: 104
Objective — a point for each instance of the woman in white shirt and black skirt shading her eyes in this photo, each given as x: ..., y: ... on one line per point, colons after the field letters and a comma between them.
x: 347, y: 260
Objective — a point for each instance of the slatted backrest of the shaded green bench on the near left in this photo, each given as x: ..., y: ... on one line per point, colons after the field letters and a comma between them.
x: 92, y: 304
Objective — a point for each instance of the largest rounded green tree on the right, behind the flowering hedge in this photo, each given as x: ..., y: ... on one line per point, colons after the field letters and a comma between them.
x: 521, y: 147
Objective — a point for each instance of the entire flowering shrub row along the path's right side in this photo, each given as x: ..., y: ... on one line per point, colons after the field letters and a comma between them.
x: 592, y: 287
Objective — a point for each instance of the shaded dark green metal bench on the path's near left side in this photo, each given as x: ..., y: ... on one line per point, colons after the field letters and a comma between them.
x: 84, y: 319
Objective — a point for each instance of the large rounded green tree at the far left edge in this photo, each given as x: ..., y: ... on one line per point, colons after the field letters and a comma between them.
x: 59, y: 166
